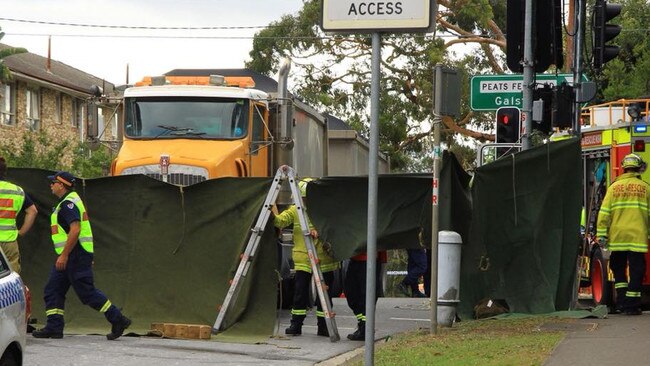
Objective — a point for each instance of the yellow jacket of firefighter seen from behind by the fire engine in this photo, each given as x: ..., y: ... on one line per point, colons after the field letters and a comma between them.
x: 623, y: 217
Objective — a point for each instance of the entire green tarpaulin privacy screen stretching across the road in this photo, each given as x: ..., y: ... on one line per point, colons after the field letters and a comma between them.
x: 165, y: 253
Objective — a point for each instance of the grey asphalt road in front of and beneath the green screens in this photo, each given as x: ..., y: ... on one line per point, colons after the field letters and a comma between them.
x: 394, y: 315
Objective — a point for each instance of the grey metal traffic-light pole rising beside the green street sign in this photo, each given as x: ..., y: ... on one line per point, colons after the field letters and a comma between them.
x: 528, y: 76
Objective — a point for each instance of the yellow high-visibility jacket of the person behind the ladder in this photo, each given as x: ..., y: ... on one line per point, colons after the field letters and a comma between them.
x: 299, y: 252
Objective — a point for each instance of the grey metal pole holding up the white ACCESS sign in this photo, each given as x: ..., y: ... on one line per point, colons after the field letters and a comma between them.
x: 371, y: 250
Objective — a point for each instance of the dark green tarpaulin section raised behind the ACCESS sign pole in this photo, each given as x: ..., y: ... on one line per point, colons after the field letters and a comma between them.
x: 338, y: 207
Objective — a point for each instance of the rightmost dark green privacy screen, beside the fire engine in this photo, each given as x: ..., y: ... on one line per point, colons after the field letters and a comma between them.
x: 524, y: 238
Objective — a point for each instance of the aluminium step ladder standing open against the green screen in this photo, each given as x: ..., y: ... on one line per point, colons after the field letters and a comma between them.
x: 284, y: 173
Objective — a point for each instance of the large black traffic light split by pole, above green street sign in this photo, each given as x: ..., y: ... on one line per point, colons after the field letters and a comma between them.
x: 547, y: 34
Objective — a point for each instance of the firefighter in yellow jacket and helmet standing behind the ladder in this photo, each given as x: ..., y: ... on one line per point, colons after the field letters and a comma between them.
x: 302, y: 279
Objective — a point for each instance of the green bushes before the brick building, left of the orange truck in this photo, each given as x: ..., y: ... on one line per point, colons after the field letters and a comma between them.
x: 39, y: 150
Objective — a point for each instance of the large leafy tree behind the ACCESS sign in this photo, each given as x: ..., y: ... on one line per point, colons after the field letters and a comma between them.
x: 334, y: 72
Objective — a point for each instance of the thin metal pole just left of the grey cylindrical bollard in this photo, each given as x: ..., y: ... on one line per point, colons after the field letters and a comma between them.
x: 437, y: 154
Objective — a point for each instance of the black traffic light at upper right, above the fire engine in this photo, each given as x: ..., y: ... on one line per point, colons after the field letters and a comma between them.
x: 603, y: 32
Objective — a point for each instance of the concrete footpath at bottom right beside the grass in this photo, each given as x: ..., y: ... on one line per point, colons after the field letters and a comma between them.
x: 615, y: 340
